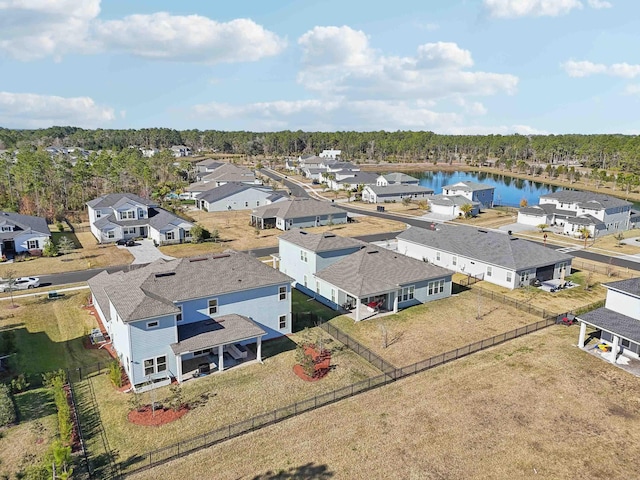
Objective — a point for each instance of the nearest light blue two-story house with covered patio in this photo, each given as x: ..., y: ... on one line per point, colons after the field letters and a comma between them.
x: 167, y: 318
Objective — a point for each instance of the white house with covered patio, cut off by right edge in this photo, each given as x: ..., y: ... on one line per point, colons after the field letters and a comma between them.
x: 618, y: 322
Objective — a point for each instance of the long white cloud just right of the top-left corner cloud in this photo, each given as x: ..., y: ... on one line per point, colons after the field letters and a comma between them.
x: 191, y: 38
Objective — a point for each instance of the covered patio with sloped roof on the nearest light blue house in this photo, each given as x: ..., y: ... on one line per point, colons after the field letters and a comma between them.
x: 214, y: 342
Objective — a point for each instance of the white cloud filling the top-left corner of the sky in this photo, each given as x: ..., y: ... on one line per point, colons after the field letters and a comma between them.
x: 31, y: 29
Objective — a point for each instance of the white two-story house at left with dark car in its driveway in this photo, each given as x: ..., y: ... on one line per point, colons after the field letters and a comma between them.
x: 119, y: 216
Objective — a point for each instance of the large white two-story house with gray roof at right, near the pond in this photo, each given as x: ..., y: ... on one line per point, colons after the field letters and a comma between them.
x: 575, y: 210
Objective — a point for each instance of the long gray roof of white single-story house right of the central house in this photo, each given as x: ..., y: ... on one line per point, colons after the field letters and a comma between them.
x: 488, y: 246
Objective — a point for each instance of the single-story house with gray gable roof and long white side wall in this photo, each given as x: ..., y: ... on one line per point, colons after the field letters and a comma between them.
x: 236, y: 196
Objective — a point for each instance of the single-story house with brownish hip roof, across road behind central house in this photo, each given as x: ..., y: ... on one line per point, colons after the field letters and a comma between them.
x: 298, y: 212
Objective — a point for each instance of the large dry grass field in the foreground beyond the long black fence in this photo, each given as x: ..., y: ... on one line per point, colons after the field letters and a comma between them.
x: 535, y: 407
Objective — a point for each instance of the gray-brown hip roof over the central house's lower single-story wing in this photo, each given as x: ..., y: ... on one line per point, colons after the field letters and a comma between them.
x: 375, y: 270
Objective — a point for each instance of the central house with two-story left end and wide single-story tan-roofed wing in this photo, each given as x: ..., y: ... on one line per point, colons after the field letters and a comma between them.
x: 346, y: 273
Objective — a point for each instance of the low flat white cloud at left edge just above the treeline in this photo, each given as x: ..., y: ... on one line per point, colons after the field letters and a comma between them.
x: 31, y: 110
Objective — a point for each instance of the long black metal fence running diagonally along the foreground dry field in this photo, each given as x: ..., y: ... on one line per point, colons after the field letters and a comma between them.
x: 185, y: 447
